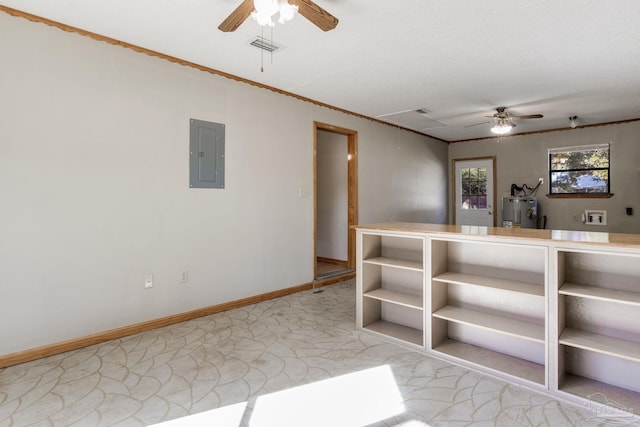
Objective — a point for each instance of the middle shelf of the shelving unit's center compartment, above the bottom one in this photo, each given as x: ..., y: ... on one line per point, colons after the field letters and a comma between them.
x: 517, y: 328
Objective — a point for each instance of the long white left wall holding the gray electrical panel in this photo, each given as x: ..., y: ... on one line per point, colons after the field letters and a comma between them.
x: 94, y: 186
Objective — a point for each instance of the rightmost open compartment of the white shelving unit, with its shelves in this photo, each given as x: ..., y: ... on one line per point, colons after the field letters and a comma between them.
x: 598, y: 333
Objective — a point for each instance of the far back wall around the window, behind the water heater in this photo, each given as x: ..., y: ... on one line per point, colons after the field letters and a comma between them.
x: 523, y: 159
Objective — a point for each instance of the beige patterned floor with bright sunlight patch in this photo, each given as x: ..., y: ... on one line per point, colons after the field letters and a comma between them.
x: 295, y: 361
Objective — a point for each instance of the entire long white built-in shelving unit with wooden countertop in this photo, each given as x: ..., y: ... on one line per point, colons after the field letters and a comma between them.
x: 553, y: 310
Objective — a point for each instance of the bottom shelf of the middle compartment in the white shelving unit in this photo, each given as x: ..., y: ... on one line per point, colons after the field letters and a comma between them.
x: 494, y: 360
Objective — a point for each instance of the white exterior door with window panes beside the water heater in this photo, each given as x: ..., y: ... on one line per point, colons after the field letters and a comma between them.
x: 474, y: 192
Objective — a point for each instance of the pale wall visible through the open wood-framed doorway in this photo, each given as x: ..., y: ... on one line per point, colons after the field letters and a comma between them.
x: 331, y: 195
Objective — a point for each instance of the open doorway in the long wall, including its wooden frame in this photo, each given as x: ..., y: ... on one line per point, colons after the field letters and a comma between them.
x: 335, y: 164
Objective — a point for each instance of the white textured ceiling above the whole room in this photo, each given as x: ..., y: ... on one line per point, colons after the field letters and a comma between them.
x: 458, y: 60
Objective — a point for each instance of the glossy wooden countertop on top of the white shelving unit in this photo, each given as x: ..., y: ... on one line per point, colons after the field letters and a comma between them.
x: 588, y: 237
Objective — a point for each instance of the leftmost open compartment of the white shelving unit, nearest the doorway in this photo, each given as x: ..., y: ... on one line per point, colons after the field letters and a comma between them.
x: 392, y: 283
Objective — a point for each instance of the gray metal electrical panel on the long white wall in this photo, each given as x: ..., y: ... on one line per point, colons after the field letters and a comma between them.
x: 206, y: 154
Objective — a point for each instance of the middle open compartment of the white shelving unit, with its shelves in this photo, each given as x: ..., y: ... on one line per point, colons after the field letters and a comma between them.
x: 488, y: 306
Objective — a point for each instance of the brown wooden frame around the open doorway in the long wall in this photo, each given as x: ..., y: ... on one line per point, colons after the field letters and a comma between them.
x: 352, y: 191
